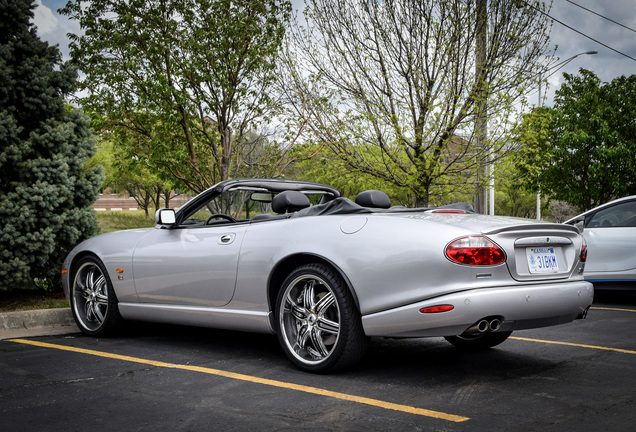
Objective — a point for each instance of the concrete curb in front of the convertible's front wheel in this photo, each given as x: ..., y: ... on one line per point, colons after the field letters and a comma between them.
x: 37, y: 323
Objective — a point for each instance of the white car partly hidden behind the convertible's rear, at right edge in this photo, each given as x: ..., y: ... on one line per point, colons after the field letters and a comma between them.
x: 610, y: 233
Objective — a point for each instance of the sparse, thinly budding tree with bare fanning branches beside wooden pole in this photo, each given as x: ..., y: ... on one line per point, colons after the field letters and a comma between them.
x: 403, y: 76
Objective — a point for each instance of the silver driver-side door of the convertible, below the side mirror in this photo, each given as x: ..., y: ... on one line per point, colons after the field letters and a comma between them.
x: 191, y: 266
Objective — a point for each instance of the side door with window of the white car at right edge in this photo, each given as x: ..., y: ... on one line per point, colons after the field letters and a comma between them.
x: 610, y: 234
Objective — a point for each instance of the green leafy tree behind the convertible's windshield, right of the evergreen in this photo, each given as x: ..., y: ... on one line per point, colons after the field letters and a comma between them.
x: 186, y: 81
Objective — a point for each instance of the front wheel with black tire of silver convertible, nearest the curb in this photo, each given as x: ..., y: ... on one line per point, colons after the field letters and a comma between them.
x: 93, y: 300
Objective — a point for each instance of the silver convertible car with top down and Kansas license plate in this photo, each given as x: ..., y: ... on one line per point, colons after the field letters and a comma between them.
x: 325, y: 273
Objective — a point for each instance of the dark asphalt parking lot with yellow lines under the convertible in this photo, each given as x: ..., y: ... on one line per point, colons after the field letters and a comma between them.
x: 574, y: 377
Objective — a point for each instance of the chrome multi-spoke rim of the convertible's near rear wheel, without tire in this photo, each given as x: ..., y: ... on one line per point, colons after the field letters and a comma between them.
x: 309, y: 319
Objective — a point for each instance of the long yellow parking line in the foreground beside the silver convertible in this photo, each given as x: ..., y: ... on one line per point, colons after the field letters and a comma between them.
x: 253, y: 379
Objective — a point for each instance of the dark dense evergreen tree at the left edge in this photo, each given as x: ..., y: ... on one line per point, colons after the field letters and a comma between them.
x: 47, y: 195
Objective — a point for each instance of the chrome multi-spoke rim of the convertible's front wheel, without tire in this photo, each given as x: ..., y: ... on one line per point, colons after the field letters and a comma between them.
x: 90, y: 296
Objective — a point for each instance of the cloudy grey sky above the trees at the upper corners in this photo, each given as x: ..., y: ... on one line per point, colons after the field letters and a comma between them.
x: 607, y: 64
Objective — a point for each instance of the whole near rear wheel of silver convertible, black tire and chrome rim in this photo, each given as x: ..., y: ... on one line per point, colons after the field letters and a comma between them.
x: 319, y: 326
